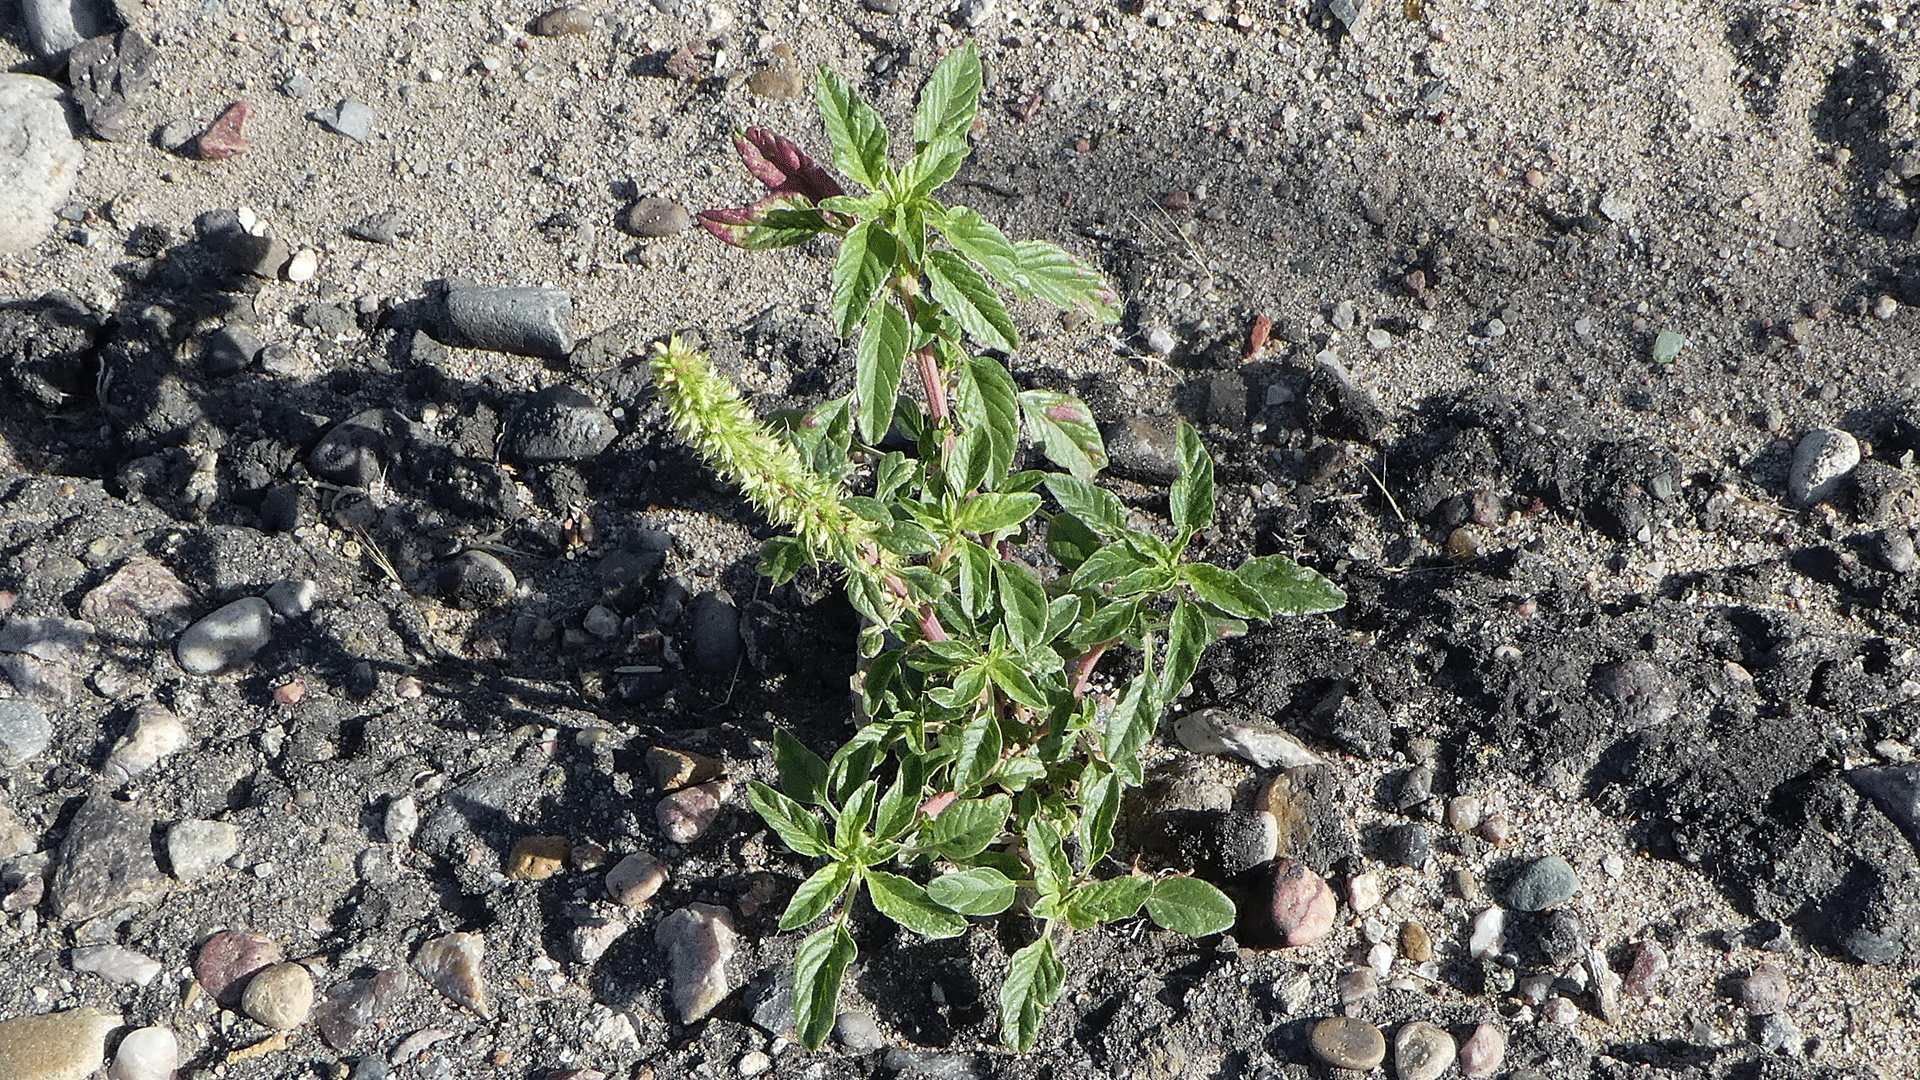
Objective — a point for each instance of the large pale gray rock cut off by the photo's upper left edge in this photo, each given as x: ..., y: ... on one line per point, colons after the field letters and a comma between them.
x: 39, y: 157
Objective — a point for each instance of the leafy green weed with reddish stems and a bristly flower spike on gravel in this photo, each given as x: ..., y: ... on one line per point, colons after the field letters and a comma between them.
x: 988, y: 772
